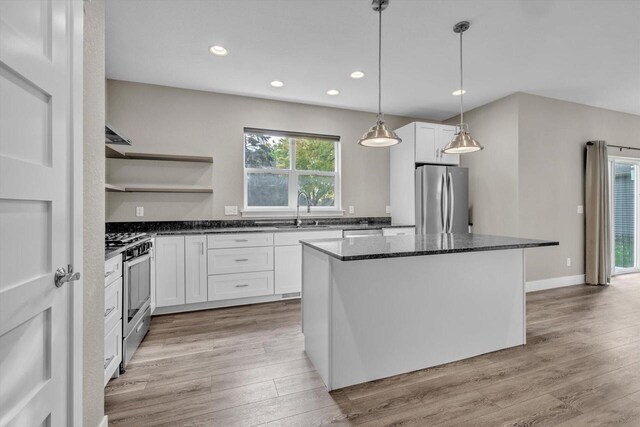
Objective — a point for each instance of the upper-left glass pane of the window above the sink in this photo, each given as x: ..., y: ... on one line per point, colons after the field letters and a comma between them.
x: 266, y: 152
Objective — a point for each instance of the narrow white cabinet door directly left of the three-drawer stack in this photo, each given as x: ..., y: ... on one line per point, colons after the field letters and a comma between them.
x: 195, y: 254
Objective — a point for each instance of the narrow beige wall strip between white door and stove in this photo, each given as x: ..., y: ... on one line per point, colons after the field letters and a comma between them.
x: 93, y: 213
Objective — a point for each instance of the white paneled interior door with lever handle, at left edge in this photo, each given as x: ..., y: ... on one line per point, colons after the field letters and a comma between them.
x: 40, y: 211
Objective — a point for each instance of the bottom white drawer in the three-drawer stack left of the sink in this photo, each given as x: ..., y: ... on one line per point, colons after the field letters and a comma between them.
x: 229, y: 286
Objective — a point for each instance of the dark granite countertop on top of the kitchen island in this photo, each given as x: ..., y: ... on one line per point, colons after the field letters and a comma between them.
x: 362, y: 248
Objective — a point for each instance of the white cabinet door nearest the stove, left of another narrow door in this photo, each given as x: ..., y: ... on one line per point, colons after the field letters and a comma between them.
x: 170, y: 271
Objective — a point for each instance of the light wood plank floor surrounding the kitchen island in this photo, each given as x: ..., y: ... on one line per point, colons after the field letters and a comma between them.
x: 246, y: 366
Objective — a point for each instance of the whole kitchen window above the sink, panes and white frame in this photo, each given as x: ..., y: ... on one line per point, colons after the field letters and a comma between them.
x: 279, y: 164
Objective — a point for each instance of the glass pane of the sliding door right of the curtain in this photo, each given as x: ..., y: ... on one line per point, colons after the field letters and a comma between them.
x: 625, y: 223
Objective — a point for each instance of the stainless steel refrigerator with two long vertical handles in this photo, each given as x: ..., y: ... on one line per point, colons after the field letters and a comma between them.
x: 442, y: 199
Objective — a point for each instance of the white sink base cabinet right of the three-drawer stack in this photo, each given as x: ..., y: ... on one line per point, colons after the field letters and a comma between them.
x: 288, y: 258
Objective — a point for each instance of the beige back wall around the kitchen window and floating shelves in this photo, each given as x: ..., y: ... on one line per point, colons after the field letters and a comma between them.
x: 163, y: 119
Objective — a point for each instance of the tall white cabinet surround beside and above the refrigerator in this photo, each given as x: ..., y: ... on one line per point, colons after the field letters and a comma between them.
x: 422, y: 143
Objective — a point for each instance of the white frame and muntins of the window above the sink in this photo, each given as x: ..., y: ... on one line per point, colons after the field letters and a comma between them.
x: 293, y: 174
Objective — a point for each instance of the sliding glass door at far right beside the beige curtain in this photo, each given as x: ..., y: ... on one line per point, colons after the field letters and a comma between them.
x: 624, y: 218
